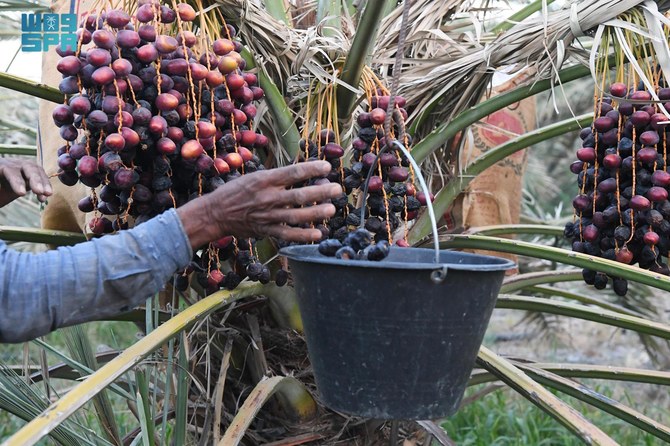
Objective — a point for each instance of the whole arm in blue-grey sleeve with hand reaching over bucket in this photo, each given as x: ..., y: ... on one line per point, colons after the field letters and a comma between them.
x: 42, y: 292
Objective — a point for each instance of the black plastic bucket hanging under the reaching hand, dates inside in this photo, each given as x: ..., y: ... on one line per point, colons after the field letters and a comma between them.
x: 385, y: 339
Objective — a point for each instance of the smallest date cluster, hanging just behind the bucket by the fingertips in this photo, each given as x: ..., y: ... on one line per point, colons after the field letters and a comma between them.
x: 393, y: 199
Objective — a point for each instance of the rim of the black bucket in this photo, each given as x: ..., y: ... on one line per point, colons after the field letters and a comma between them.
x: 310, y: 254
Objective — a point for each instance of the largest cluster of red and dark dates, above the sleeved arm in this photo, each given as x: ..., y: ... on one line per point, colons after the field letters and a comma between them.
x: 157, y: 116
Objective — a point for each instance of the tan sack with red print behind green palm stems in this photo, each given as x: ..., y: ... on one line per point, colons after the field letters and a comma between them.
x: 494, y: 197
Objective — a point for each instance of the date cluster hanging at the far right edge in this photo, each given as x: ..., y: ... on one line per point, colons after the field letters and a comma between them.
x: 622, y: 210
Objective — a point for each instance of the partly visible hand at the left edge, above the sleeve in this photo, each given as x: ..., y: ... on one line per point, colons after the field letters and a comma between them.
x: 19, y: 175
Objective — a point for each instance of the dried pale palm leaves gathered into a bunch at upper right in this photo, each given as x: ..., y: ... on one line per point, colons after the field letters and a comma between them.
x: 449, y: 71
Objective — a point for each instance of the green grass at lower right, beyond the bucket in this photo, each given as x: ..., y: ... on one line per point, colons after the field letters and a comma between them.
x: 503, y: 418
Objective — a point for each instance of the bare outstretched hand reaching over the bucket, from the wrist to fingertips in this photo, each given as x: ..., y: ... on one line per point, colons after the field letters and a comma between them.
x: 258, y: 205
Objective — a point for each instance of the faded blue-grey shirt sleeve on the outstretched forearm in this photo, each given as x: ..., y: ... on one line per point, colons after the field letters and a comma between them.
x: 99, y: 278
